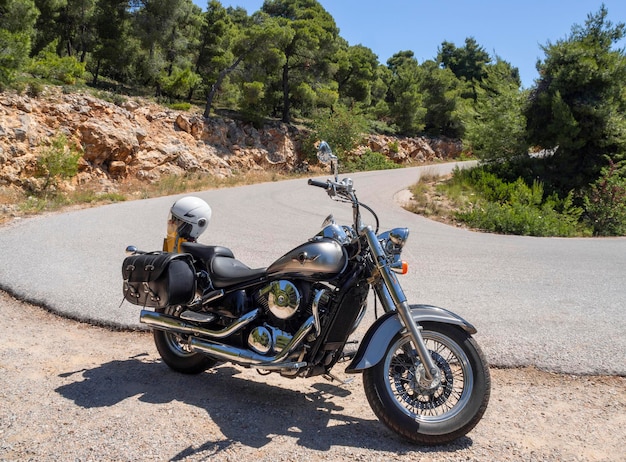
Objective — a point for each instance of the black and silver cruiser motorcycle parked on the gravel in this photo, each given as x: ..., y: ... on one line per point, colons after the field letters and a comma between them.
x: 424, y: 375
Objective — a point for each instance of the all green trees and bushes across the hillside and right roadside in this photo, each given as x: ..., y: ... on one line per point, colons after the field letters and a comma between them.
x: 288, y: 61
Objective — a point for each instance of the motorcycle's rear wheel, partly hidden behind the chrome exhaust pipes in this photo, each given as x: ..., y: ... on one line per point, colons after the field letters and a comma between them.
x: 175, y: 352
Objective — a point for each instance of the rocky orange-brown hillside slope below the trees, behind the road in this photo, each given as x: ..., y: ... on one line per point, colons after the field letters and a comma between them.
x: 139, y: 139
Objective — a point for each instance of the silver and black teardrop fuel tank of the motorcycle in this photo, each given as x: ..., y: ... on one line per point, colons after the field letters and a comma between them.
x: 316, y: 258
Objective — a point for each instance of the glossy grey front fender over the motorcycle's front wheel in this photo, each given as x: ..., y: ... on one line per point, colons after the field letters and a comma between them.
x: 379, y: 335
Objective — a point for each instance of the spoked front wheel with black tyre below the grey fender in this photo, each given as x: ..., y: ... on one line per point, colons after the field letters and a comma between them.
x: 419, y: 410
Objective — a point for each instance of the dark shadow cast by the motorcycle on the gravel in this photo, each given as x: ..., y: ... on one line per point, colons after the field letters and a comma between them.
x: 247, y: 409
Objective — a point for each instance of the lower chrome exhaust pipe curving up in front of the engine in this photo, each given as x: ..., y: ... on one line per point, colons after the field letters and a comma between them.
x: 249, y: 358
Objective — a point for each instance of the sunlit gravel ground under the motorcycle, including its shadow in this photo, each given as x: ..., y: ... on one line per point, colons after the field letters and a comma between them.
x: 71, y: 391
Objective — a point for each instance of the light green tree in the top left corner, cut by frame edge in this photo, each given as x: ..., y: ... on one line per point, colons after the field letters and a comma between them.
x: 17, y: 20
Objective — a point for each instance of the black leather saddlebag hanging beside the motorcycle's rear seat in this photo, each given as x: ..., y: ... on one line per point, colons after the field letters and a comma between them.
x: 159, y: 279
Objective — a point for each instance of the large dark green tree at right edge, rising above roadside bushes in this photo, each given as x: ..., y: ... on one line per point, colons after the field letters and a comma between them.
x: 578, y: 105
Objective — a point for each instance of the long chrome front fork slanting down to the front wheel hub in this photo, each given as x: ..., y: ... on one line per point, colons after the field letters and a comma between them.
x: 392, y: 297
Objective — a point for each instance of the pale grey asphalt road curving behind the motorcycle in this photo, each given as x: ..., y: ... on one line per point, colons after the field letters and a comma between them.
x: 558, y: 304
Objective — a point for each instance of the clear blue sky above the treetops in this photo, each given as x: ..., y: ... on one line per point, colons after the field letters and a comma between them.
x: 514, y: 31
